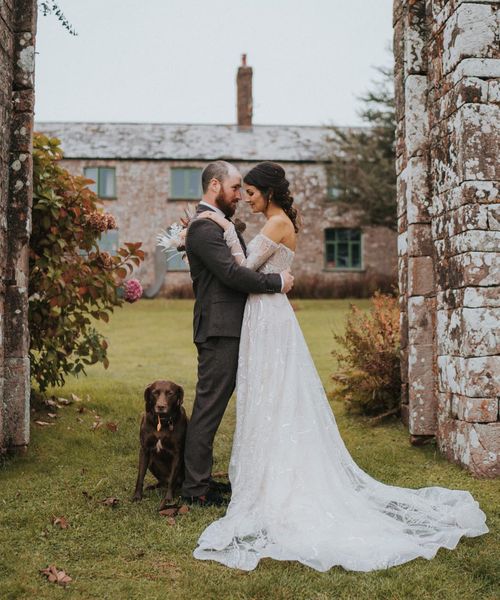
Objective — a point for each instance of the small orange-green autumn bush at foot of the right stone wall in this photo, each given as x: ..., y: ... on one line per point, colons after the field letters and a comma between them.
x: 369, y: 378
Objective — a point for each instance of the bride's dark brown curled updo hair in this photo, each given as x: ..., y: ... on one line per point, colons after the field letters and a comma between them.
x: 269, y: 178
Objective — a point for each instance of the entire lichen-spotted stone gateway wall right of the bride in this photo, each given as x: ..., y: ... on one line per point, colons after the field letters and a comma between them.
x: 447, y: 94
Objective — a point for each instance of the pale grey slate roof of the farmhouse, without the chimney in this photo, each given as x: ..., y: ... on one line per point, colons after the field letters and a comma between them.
x: 156, y: 141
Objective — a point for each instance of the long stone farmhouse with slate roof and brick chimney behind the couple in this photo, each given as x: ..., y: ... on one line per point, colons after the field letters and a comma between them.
x: 148, y: 174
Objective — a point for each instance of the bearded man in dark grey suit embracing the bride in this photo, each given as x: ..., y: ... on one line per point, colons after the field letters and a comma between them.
x: 220, y: 288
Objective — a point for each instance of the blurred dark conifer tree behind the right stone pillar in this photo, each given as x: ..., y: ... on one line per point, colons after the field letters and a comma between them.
x: 362, y: 172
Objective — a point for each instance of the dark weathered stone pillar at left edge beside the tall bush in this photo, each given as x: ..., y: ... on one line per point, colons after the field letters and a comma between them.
x: 17, y: 39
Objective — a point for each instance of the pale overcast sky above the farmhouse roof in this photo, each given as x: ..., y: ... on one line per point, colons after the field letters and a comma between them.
x: 175, y: 61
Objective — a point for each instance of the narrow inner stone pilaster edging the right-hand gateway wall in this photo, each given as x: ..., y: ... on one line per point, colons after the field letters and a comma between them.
x: 415, y: 248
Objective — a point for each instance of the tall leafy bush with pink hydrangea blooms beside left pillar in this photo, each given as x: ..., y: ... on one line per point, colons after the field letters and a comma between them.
x: 72, y: 284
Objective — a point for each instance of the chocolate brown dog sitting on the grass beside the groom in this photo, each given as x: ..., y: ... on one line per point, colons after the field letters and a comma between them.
x: 162, y: 437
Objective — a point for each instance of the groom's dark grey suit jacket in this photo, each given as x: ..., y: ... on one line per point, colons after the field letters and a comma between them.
x: 220, y: 285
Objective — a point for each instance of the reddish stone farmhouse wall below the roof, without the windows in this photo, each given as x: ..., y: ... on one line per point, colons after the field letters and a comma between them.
x: 142, y: 208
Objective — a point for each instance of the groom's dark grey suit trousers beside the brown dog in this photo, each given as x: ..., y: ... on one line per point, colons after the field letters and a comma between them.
x: 217, y: 366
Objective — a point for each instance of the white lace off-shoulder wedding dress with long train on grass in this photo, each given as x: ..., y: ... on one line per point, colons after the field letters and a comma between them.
x: 296, y: 492
